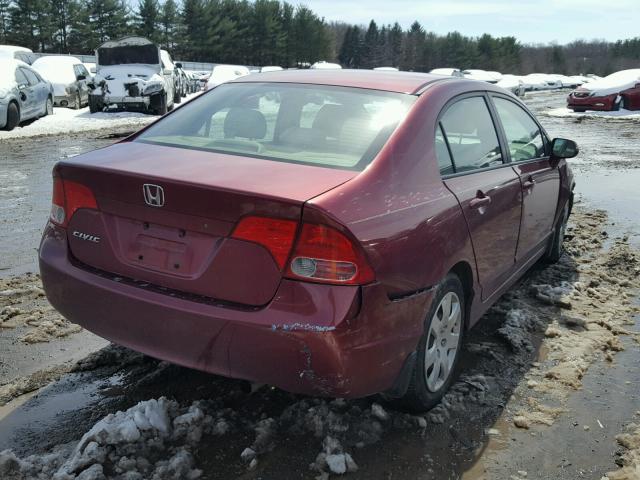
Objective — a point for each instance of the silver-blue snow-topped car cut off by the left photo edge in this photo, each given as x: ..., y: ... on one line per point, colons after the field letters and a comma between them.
x: 24, y: 94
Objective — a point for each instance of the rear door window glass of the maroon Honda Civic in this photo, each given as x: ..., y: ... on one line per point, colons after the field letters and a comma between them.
x: 471, y: 134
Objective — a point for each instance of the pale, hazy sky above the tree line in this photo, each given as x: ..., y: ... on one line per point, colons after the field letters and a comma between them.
x: 530, y: 21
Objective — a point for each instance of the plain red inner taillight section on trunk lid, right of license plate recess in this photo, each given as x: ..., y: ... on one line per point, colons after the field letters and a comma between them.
x: 275, y: 234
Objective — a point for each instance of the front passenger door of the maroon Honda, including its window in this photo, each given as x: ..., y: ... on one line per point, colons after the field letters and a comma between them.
x: 540, y: 178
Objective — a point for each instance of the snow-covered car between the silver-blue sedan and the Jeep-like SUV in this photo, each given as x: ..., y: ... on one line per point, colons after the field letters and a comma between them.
x: 69, y: 77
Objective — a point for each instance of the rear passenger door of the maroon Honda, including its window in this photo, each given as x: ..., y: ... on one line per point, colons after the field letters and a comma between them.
x: 486, y: 187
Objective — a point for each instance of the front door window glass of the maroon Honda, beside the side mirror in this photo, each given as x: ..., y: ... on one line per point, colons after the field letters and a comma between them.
x: 524, y: 137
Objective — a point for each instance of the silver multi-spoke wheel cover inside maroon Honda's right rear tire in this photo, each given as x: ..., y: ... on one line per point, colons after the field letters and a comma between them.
x: 443, y: 341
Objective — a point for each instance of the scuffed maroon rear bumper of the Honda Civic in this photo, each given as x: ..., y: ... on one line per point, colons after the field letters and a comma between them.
x: 314, y: 339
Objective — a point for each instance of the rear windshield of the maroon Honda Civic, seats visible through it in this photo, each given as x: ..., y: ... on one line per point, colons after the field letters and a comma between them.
x: 336, y: 127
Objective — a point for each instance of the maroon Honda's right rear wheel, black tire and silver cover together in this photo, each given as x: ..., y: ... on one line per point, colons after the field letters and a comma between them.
x: 429, y: 382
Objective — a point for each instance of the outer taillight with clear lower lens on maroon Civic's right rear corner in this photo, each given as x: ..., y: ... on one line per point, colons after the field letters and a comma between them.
x: 323, y: 254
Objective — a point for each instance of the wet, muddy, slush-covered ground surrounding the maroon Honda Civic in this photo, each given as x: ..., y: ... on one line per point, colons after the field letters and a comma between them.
x: 549, y: 386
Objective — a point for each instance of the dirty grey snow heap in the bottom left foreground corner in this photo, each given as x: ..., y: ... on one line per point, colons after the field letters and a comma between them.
x: 151, y: 440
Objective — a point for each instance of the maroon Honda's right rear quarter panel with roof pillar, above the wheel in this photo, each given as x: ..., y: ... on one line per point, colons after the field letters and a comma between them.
x: 410, y: 225
